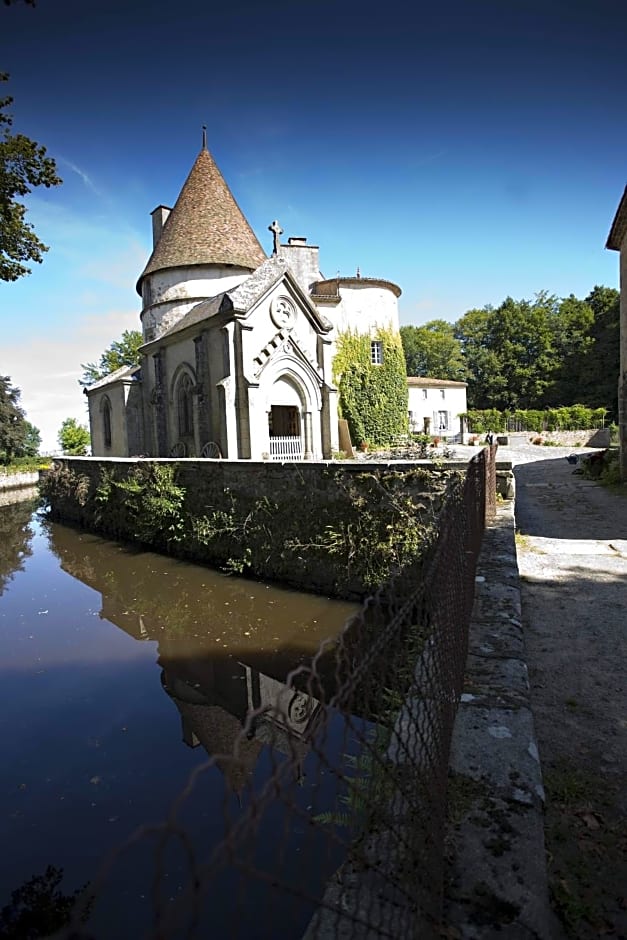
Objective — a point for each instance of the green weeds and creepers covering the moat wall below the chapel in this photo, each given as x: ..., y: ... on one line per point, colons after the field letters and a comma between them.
x: 346, y: 540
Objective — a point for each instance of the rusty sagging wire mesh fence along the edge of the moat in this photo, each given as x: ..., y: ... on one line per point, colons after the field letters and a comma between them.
x: 342, y: 835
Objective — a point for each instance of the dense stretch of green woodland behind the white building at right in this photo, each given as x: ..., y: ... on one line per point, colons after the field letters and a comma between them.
x: 526, y: 354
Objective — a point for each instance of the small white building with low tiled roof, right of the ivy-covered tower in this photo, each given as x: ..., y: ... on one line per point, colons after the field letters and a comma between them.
x: 435, y: 406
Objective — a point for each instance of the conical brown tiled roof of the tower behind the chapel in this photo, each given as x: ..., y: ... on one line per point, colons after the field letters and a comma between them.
x: 206, y: 226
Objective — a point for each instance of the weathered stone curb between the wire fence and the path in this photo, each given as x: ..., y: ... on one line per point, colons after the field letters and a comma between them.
x: 497, y: 880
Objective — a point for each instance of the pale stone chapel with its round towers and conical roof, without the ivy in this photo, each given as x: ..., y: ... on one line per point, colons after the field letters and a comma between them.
x: 238, y: 347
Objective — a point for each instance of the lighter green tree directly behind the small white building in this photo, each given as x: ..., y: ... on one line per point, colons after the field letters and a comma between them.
x: 433, y: 350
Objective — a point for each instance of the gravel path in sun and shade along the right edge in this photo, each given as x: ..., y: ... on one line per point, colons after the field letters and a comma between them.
x: 572, y: 556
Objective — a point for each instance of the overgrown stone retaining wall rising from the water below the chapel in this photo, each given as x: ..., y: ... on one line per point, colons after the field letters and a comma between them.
x: 328, y: 527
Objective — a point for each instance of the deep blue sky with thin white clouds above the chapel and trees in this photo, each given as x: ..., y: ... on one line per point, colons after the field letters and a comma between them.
x: 465, y: 150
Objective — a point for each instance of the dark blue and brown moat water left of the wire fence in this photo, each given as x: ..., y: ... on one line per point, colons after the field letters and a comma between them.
x: 121, y: 671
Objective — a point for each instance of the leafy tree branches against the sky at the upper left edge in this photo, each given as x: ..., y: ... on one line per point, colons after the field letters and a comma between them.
x: 23, y: 166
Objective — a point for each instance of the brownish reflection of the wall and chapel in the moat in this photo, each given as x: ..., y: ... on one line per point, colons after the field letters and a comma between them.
x: 225, y: 645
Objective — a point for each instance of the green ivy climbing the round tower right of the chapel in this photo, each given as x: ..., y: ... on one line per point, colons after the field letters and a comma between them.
x: 372, y: 398
